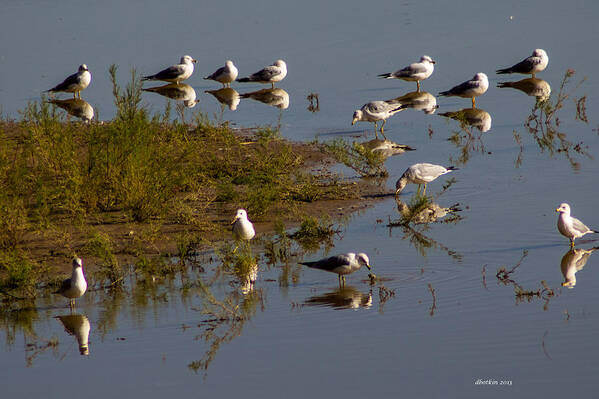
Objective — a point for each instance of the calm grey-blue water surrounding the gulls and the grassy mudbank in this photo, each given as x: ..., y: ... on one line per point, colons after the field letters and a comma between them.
x: 153, y: 340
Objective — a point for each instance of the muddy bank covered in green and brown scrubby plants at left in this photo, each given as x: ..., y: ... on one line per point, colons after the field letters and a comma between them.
x: 138, y: 185
